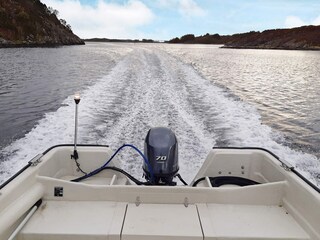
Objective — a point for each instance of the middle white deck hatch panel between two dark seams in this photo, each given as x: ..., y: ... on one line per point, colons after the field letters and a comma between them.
x: 161, y: 222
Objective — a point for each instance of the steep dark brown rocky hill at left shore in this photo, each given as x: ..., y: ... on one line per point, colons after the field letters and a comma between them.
x: 30, y: 23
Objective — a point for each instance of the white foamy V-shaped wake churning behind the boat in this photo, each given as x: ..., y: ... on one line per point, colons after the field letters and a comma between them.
x: 149, y: 88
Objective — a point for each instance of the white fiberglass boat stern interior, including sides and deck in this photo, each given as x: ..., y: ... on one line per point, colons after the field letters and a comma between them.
x: 111, y: 206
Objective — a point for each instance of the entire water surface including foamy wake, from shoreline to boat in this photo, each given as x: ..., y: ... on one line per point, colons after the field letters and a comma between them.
x: 207, y: 95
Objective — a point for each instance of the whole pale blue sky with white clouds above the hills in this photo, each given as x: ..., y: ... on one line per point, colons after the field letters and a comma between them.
x: 166, y: 19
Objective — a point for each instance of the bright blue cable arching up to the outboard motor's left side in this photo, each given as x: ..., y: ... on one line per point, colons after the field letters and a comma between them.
x: 94, y: 172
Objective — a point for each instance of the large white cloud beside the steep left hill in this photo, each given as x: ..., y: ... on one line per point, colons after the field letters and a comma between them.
x: 108, y: 20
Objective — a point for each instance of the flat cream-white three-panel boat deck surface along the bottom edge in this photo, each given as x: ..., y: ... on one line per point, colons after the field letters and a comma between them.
x: 112, y: 220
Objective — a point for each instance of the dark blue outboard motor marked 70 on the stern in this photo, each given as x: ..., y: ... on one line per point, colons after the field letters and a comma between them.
x: 161, y: 149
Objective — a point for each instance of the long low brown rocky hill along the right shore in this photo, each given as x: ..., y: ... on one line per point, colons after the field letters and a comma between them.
x: 305, y: 38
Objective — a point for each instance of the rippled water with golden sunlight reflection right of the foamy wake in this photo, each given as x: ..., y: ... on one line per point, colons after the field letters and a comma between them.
x: 283, y: 85
